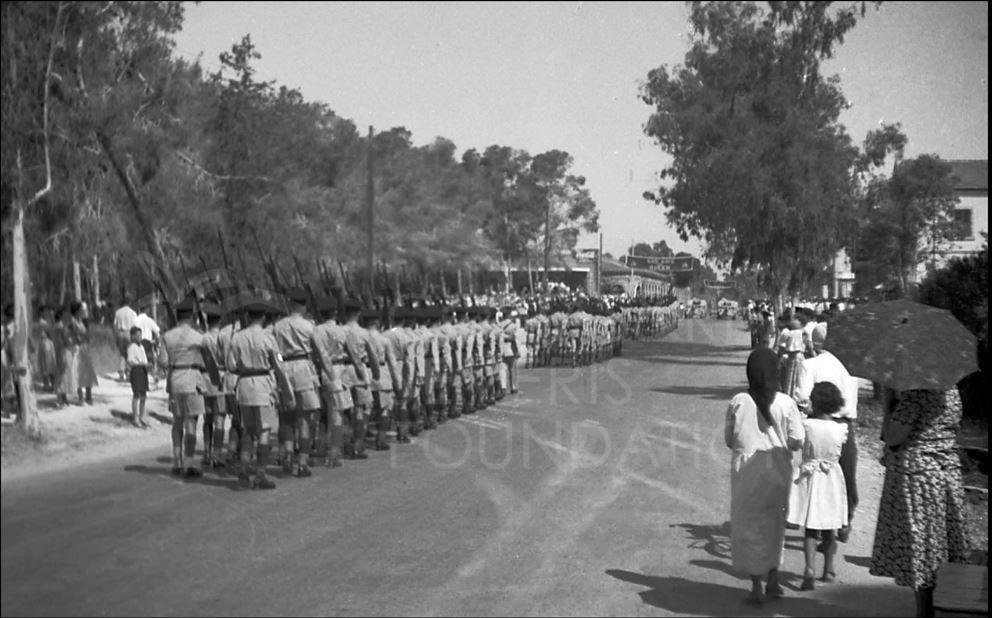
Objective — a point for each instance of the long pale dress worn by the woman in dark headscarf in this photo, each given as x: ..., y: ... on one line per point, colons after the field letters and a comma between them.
x: 761, y: 475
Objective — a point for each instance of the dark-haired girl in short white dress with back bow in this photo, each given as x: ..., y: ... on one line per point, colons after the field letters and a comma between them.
x: 818, y: 501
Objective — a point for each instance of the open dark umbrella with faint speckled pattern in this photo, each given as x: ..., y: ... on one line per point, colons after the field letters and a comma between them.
x: 903, y: 345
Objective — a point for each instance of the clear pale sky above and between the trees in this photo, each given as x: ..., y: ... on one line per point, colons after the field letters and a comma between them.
x: 565, y: 75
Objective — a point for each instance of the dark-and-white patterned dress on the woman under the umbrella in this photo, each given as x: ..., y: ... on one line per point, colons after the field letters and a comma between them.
x: 921, y: 514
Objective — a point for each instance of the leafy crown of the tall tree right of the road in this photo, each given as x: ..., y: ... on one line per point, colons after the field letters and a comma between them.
x: 762, y: 170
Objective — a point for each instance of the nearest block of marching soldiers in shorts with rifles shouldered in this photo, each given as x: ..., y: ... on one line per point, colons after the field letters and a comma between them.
x: 326, y: 386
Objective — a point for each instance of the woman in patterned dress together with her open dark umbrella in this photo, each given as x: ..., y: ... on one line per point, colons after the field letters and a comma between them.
x: 919, y: 353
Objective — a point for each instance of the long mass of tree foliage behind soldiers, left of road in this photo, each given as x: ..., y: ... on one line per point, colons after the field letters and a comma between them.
x: 154, y: 161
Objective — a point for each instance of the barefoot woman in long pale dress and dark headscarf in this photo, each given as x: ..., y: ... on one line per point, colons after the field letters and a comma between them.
x: 763, y: 427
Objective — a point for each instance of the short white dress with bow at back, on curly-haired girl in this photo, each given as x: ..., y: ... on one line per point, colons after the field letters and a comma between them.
x: 819, y: 497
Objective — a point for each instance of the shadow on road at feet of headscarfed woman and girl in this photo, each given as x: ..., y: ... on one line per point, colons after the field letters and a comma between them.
x: 685, y: 597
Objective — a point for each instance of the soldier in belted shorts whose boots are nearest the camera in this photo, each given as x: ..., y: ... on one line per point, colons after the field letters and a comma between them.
x: 251, y: 356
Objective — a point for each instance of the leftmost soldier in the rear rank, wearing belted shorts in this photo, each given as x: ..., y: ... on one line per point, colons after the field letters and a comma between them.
x: 182, y: 355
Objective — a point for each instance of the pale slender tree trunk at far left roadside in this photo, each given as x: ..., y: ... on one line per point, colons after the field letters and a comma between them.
x: 22, y: 324
